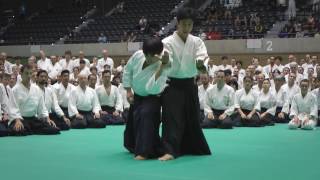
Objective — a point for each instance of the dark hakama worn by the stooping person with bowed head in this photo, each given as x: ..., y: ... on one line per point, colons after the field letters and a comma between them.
x: 141, y: 135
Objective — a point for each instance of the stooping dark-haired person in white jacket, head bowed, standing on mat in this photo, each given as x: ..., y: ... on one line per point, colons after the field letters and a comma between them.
x: 145, y: 74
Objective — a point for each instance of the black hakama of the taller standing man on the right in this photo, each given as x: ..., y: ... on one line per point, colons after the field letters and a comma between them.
x: 181, y: 131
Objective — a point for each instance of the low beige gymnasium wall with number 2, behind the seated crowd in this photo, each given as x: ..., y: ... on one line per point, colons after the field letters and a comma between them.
x: 241, y: 49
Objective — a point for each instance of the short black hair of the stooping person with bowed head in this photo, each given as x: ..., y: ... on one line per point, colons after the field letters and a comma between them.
x: 152, y: 46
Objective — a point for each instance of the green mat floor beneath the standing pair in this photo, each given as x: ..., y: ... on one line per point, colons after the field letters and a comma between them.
x: 242, y: 153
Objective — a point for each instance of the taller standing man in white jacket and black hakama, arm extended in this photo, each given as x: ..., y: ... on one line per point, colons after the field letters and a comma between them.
x: 181, y: 130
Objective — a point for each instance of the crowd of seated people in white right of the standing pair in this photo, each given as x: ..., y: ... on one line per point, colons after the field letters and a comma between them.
x: 228, y: 92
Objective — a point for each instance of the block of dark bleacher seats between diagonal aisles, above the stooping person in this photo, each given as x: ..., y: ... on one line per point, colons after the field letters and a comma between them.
x: 157, y: 13
